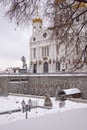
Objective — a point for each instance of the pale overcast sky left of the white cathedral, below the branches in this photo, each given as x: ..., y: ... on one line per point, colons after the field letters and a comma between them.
x: 13, y: 43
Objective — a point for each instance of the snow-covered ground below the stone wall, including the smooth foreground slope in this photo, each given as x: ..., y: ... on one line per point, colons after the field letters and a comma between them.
x: 72, y: 116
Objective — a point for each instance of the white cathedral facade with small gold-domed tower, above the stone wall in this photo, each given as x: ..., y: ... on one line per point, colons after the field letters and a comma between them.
x: 46, y: 54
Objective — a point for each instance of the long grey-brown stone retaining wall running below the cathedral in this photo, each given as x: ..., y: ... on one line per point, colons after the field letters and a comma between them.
x: 41, y: 84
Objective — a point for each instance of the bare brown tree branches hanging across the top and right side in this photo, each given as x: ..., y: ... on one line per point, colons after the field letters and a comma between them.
x: 65, y: 16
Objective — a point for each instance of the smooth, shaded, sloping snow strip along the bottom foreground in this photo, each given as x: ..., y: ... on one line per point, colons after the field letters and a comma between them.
x: 67, y: 120
